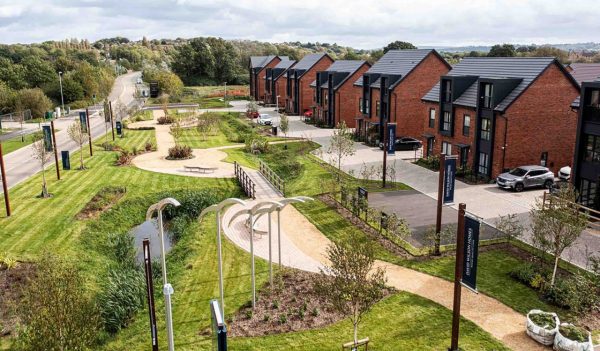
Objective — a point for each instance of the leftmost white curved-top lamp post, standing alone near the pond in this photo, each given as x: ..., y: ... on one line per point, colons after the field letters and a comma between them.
x: 167, y: 288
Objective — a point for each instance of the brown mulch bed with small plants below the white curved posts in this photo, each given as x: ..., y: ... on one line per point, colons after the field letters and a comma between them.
x: 292, y: 306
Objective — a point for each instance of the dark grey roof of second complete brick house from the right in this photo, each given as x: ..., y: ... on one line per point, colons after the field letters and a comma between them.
x: 397, y: 62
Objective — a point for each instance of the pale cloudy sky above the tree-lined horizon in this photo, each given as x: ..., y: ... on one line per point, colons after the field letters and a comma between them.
x: 363, y: 24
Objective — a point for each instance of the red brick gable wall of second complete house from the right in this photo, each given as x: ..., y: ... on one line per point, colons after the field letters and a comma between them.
x: 405, y: 100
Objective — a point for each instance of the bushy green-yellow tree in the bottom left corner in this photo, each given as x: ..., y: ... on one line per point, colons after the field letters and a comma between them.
x: 56, y: 310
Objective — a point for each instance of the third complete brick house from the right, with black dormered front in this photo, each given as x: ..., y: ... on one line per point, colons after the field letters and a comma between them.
x: 335, y: 98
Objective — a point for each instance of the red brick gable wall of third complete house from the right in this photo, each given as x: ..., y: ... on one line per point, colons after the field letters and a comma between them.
x: 347, y: 98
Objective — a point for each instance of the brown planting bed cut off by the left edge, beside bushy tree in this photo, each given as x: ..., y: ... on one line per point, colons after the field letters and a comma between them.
x: 12, y: 282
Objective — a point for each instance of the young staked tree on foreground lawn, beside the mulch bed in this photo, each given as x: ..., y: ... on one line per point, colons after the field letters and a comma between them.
x: 350, y: 284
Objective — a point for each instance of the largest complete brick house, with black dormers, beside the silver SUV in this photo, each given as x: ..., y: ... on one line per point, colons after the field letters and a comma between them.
x: 497, y: 113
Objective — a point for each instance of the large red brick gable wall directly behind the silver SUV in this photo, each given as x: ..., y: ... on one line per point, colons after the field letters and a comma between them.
x: 540, y: 120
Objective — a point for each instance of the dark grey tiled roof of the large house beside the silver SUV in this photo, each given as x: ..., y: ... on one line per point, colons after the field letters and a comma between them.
x: 525, y: 68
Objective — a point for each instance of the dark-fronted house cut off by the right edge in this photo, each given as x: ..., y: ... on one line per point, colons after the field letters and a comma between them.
x: 585, y: 172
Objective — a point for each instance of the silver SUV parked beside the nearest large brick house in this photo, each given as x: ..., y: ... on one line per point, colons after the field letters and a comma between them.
x: 526, y: 177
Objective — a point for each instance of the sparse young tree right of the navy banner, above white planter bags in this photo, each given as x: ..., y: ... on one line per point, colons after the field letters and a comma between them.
x: 557, y: 225
